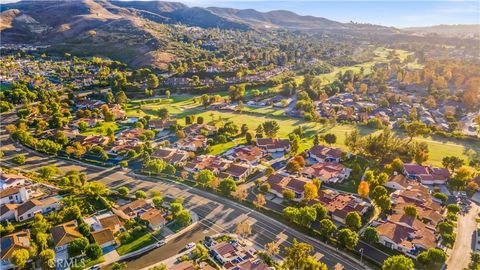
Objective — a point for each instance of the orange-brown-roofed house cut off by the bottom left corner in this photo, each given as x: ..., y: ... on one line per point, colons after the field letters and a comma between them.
x: 10, y: 243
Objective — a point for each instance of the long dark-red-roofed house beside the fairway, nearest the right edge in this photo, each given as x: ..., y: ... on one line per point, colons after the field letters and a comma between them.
x: 427, y: 175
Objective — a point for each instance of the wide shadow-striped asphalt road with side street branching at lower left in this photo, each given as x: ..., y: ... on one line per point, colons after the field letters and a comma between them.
x: 216, y: 214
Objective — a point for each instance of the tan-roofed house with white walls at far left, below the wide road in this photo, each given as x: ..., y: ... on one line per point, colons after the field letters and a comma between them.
x: 28, y: 209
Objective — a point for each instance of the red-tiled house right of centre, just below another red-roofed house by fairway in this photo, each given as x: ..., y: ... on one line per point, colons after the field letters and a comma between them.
x: 327, y: 172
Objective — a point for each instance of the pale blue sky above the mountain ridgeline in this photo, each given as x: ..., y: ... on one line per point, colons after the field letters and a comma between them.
x: 388, y: 13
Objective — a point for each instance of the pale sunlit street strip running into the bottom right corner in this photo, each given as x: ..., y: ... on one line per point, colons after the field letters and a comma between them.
x: 459, y: 256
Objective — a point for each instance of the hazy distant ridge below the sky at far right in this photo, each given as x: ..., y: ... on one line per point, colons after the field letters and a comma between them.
x: 458, y: 30
